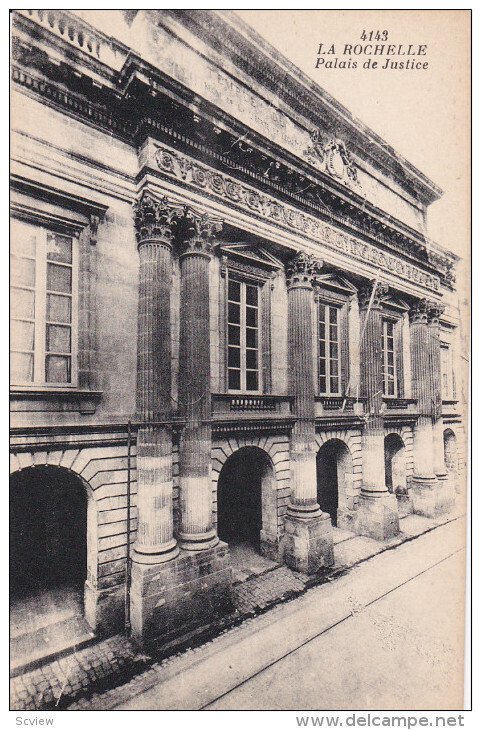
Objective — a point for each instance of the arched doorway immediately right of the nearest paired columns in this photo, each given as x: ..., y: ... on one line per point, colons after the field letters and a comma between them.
x: 246, y: 498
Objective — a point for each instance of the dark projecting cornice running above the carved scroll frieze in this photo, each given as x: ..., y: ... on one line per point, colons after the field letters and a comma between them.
x: 132, y: 116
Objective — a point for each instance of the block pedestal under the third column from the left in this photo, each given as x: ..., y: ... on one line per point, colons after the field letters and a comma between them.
x: 307, y: 543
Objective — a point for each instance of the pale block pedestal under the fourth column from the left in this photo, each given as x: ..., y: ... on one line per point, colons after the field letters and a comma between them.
x: 377, y: 516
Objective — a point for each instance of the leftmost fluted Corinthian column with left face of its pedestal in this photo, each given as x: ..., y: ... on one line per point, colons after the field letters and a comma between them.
x: 155, y: 545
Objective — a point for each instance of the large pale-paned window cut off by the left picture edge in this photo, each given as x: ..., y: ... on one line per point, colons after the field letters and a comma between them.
x: 43, y: 288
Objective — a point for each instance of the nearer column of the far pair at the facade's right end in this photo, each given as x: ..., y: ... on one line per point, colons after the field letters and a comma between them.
x: 424, y: 479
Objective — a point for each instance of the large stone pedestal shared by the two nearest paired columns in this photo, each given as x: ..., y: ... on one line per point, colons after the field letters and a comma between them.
x: 170, y: 601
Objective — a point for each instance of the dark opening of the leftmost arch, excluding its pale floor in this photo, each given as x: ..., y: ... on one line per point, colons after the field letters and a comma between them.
x: 48, y: 531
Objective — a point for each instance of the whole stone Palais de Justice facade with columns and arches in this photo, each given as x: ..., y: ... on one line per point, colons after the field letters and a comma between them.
x: 228, y: 323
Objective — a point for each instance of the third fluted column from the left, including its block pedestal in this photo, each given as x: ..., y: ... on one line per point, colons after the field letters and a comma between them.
x: 307, y: 543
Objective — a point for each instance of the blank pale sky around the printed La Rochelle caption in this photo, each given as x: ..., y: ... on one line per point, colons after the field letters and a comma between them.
x: 423, y: 114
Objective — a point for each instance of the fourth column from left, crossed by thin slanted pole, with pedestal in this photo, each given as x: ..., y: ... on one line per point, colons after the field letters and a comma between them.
x: 377, y: 514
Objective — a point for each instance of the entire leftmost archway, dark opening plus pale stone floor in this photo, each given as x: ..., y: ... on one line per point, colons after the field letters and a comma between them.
x: 48, y: 559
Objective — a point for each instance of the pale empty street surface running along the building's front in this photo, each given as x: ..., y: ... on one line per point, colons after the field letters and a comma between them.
x: 388, y: 635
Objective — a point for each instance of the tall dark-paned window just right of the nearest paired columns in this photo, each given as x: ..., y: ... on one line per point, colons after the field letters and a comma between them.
x: 243, y: 336
